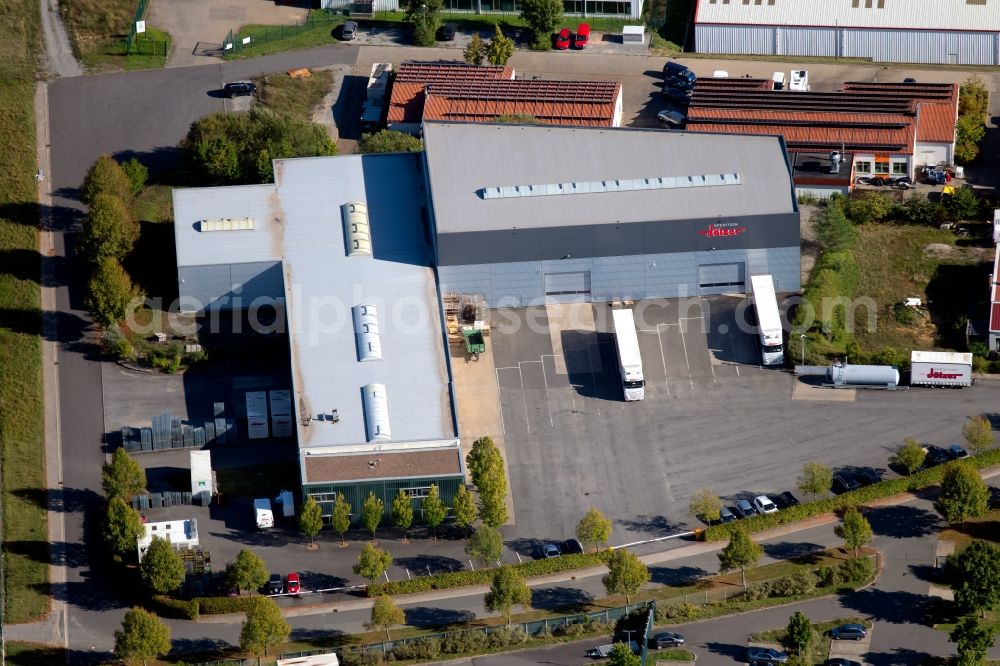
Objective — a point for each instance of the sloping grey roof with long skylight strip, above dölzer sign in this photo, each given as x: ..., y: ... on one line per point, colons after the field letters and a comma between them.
x: 465, y: 161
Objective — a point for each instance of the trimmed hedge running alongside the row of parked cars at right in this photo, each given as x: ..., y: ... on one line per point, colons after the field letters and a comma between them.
x: 918, y: 481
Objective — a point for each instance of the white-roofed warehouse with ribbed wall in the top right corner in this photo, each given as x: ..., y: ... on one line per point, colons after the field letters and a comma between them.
x: 956, y: 32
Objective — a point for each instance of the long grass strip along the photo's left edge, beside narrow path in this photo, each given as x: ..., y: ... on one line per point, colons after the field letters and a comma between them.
x: 25, y: 531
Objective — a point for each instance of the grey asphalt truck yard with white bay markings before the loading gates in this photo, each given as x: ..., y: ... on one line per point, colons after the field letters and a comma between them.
x: 712, y: 417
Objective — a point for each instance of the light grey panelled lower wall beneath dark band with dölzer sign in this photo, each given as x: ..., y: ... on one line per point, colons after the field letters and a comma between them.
x: 635, y: 277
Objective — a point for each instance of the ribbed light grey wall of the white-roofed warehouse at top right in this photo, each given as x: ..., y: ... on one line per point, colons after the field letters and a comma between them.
x: 879, y: 45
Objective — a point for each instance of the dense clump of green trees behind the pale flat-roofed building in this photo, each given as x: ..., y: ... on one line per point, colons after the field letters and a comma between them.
x: 238, y: 148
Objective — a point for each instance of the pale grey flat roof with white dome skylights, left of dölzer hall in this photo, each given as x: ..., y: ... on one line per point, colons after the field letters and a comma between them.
x: 298, y: 220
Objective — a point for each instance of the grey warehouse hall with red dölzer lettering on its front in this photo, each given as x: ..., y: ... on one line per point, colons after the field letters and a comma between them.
x: 588, y: 214
